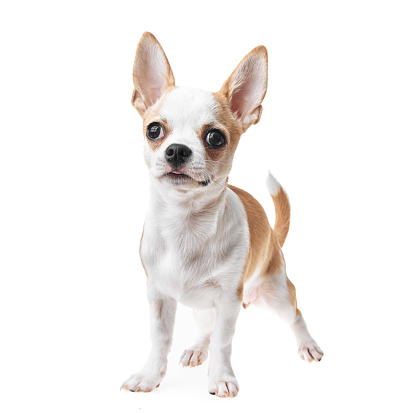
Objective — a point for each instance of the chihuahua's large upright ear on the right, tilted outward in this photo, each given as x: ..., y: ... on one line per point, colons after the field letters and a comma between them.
x: 246, y: 87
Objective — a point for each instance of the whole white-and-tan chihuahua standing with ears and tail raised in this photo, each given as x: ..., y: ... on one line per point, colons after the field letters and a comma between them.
x: 205, y: 243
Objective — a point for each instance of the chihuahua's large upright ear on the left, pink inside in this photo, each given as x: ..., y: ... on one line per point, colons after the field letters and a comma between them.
x: 151, y: 73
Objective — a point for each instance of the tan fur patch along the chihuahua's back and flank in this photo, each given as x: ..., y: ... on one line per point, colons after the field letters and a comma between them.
x: 264, y: 250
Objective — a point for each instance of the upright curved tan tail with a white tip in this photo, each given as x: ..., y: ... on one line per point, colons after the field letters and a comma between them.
x: 281, y: 207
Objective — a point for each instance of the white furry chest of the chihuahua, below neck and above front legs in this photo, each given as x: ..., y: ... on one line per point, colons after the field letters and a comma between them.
x: 196, y: 260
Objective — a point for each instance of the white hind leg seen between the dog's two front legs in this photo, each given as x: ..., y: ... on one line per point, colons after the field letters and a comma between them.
x: 198, y: 353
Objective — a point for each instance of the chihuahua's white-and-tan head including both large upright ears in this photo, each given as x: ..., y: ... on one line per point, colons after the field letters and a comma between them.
x: 191, y: 135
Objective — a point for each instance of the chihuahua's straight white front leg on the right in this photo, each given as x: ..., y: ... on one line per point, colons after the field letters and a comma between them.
x: 221, y: 378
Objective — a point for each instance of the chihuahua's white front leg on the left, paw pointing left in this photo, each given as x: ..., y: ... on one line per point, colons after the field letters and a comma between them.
x: 162, y: 319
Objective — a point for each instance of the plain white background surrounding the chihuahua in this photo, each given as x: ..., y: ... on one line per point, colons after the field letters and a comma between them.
x: 338, y: 130
